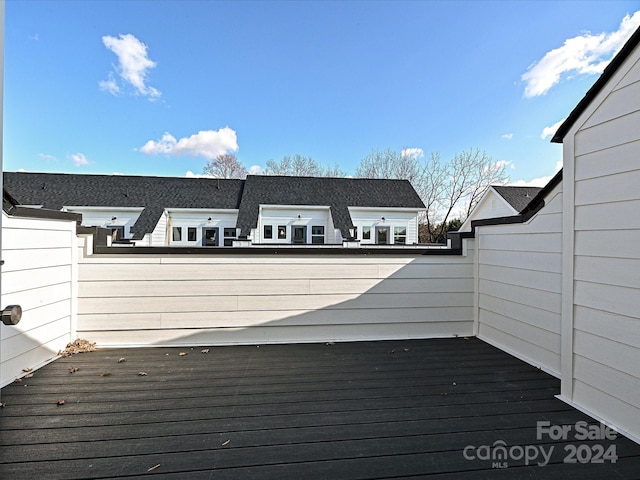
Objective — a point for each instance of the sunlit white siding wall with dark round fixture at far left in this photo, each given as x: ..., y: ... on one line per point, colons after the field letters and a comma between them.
x: 38, y: 274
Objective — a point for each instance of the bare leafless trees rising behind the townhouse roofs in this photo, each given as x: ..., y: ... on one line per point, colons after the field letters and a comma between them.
x: 450, y: 189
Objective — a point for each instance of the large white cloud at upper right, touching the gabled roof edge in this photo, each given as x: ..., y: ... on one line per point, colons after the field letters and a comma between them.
x: 585, y: 54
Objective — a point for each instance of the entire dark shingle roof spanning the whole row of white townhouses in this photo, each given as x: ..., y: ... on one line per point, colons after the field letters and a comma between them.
x: 154, y: 194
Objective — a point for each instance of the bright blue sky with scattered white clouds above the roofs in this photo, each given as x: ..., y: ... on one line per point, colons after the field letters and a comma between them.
x: 157, y: 87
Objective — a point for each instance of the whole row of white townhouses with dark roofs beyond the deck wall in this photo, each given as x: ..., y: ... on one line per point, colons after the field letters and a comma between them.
x: 186, y: 212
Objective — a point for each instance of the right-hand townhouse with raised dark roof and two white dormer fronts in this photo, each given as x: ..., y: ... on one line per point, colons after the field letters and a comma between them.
x: 314, y: 210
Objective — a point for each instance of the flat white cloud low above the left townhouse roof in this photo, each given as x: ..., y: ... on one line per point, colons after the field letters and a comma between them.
x: 206, y: 143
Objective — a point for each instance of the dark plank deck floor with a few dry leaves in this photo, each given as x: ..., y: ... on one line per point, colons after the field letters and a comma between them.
x: 393, y: 409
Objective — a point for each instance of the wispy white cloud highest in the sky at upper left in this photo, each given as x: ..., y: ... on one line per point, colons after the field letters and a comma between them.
x: 133, y: 65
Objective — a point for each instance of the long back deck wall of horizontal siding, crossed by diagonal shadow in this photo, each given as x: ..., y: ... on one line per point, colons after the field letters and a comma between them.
x: 183, y: 300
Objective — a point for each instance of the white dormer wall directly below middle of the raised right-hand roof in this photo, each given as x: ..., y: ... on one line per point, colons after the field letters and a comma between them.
x: 288, y: 218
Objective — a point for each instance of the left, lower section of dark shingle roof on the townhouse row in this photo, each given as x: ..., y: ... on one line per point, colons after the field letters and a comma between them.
x: 154, y: 194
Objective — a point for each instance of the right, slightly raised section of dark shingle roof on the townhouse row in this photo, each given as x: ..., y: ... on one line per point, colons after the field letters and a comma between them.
x: 337, y: 193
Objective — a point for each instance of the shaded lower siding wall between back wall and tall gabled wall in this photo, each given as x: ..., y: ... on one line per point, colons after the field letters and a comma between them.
x: 519, y: 285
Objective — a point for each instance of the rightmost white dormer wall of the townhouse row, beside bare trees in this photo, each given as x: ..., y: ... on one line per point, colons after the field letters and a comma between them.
x: 372, y: 218
